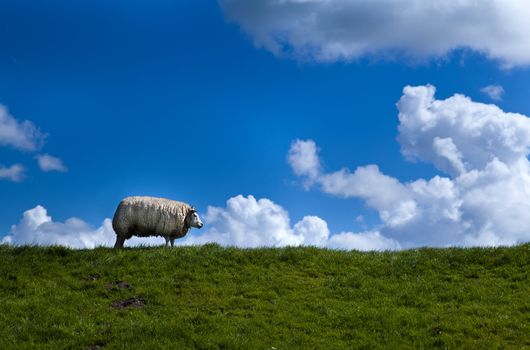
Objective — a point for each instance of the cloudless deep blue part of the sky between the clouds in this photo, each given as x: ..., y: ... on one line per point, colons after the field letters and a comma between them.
x: 184, y: 100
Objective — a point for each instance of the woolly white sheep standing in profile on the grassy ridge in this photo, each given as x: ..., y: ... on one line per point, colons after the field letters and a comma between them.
x: 150, y: 216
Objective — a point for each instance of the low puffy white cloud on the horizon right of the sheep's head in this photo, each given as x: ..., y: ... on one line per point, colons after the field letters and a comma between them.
x: 250, y: 222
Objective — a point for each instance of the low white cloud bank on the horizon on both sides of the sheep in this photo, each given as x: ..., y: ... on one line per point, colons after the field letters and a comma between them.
x: 244, y: 222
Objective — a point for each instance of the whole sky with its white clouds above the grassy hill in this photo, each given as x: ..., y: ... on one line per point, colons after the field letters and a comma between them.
x: 344, y: 124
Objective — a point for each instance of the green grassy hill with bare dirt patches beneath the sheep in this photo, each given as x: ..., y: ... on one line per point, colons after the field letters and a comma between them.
x: 294, y: 298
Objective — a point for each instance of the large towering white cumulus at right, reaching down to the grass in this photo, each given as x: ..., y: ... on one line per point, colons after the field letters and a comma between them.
x: 481, y: 197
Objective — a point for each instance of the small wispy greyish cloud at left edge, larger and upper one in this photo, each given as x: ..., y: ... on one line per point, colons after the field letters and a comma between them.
x: 22, y: 135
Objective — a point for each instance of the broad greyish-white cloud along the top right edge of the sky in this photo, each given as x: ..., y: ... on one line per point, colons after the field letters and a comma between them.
x: 345, y: 30
